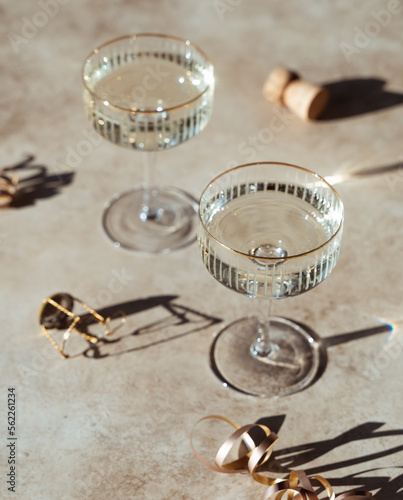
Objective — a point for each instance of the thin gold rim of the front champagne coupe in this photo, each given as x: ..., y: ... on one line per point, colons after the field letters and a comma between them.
x: 273, y: 259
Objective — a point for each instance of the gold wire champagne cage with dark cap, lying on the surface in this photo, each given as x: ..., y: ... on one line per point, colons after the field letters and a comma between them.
x: 59, y: 318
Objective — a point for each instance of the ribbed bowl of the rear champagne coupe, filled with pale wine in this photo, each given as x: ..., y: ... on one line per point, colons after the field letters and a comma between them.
x: 135, y: 117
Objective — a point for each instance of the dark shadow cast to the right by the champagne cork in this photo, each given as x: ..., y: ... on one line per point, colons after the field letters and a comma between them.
x: 358, y: 96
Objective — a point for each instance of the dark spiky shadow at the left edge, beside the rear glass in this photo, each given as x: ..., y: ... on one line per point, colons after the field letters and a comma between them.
x: 34, y: 182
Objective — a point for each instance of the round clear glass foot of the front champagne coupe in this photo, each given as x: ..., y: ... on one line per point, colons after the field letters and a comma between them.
x: 291, y: 366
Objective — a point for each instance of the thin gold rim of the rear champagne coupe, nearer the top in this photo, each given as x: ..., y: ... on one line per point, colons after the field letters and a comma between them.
x: 144, y: 35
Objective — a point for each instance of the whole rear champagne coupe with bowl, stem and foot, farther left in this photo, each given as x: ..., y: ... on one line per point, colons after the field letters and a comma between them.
x: 149, y: 92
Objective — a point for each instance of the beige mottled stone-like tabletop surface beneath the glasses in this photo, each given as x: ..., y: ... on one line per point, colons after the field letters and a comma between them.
x: 118, y: 426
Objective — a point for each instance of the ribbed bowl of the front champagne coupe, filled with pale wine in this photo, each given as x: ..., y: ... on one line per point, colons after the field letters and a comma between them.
x: 270, y: 230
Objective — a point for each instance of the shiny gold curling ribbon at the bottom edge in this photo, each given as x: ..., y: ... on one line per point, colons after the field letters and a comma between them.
x: 297, y: 487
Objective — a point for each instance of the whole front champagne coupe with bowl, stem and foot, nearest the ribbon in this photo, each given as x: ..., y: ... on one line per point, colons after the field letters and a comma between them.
x: 268, y: 231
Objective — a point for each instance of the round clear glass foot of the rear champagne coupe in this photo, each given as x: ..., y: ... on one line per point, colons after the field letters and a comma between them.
x: 165, y: 223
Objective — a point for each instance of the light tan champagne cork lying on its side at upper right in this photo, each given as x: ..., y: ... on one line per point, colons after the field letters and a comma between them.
x: 306, y: 100
